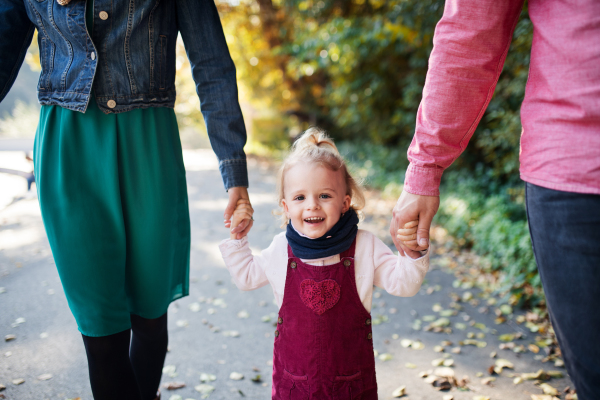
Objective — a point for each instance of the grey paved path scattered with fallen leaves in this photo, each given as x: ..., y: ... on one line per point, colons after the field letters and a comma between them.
x: 201, y: 325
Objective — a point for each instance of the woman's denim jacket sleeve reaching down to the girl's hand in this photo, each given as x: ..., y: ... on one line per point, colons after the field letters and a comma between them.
x: 214, y: 73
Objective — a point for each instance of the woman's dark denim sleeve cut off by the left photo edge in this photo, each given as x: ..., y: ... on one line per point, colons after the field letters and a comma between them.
x: 16, y: 31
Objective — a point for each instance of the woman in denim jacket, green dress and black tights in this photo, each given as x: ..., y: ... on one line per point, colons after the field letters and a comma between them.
x: 108, y: 164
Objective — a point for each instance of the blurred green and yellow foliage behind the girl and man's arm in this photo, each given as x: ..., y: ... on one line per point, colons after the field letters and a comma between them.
x: 357, y: 68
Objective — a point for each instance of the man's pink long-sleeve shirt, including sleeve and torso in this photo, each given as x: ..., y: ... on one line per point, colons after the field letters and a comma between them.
x: 560, y: 114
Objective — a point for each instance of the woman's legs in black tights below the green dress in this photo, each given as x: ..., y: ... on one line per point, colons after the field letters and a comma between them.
x: 125, y: 366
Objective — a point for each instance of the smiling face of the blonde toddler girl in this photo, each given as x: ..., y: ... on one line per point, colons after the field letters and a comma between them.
x: 314, y: 198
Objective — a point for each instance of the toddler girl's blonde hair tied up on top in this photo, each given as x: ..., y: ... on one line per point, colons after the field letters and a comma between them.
x: 315, y: 146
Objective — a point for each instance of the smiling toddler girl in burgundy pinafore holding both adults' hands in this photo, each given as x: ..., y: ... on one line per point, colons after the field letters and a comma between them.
x: 322, y: 270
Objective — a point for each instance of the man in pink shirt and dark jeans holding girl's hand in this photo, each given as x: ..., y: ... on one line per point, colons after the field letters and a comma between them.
x: 560, y: 149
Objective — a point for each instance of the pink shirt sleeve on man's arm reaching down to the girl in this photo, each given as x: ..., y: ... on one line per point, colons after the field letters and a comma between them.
x: 470, y: 45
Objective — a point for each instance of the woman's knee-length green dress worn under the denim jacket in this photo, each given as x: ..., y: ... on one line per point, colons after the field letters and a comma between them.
x: 113, y: 196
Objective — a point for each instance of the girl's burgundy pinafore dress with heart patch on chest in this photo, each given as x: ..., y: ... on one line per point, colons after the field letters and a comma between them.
x: 323, y: 342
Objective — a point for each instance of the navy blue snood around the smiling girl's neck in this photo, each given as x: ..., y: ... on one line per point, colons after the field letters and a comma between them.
x: 337, y: 240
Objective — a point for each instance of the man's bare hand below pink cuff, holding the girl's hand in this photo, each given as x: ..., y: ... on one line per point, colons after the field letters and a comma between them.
x: 411, y: 207
